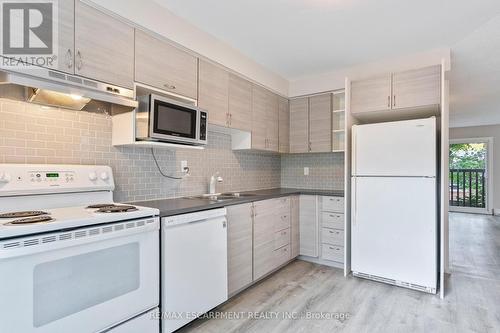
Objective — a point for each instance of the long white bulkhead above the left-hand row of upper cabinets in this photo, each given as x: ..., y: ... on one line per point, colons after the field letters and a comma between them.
x: 150, y: 15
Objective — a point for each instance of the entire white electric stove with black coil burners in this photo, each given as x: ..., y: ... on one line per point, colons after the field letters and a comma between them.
x: 70, y: 258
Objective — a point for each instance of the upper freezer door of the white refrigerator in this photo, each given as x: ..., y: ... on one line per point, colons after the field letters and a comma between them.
x: 403, y: 148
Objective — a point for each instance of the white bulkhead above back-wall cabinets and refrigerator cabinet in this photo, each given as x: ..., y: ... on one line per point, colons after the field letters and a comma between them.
x: 336, y: 80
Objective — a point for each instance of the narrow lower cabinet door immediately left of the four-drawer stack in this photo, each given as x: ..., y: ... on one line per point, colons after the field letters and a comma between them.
x: 308, y: 229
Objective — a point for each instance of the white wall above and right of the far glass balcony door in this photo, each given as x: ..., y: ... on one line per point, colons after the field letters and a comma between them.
x: 482, y: 132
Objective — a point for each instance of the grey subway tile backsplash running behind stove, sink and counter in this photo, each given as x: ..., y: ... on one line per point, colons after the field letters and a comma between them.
x: 33, y: 134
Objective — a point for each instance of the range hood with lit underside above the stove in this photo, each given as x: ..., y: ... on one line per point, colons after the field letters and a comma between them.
x: 52, y: 88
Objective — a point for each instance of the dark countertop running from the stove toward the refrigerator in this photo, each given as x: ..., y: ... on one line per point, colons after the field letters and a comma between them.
x: 176, y: 206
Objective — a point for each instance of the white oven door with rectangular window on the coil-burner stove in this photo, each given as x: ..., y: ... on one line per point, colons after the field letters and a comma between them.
x: 79, y: 281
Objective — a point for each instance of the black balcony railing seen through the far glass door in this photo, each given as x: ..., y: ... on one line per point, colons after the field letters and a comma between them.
x: 468, y: 188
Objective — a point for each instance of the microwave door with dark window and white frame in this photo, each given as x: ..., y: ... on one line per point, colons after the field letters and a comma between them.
x: 172, y: 121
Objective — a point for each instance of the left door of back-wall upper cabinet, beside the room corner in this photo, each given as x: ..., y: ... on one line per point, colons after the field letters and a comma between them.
x: 299, y: 125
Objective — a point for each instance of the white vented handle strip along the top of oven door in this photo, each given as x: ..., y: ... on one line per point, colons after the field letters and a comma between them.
x: 53, y: 241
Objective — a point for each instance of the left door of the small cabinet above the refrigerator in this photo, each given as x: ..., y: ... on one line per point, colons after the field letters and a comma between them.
x: 371, y: 95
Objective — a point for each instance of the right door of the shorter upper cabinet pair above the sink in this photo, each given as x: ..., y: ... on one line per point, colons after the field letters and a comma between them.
x: 240, y: 103
